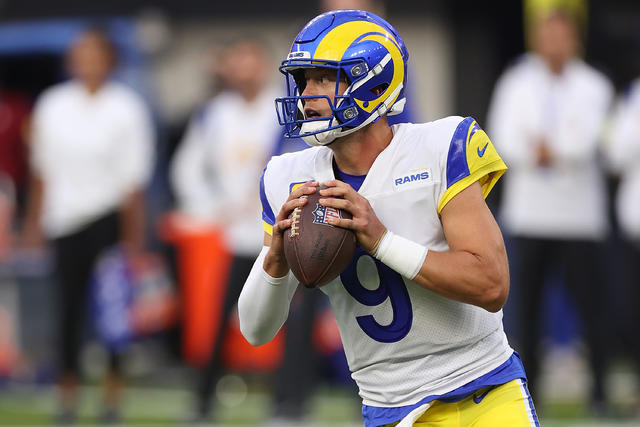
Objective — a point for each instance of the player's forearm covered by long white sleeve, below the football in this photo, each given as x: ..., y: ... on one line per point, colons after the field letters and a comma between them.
x: 263, y: 305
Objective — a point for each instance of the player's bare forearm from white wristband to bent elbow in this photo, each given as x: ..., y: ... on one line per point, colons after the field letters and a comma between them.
x: 470, y: 278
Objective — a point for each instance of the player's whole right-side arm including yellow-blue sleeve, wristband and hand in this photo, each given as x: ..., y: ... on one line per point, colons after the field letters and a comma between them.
x: 475, y: 269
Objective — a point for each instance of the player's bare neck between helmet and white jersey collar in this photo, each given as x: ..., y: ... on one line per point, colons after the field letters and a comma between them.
x: 354, y: 154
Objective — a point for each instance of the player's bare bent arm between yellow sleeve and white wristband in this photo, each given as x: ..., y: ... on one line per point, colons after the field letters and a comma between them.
x: 475, y: 269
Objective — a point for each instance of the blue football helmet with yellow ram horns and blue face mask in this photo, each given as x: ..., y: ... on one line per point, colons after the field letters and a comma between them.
x: 362, y: 48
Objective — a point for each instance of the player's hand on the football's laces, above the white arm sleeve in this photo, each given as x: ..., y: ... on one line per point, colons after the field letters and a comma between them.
x: 275, y: 263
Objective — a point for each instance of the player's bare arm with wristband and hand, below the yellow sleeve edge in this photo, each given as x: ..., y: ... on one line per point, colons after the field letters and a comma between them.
x: 474, y: 270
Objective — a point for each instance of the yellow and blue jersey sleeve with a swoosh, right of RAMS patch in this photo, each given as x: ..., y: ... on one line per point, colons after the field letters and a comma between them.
x: 471, y: 157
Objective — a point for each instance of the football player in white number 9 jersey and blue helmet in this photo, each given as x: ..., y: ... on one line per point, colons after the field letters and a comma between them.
x: 419, y: 307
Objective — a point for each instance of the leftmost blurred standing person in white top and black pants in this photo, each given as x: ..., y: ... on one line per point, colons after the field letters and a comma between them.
x: 91, y: 157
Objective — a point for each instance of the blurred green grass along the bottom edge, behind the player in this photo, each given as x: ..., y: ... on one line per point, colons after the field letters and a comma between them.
x: 29, y: 406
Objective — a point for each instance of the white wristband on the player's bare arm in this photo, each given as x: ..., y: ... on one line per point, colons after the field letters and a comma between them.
x: 400, y: 254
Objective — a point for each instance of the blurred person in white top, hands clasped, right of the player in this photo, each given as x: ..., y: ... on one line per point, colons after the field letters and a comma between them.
x: 545, y: 117
